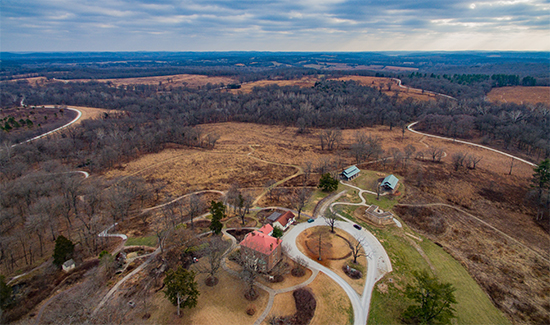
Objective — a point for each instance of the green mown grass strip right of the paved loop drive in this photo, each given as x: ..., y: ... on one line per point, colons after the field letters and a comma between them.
x: 388, y: 301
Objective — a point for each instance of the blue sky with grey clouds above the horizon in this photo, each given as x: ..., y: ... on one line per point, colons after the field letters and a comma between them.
x: 279, y: 25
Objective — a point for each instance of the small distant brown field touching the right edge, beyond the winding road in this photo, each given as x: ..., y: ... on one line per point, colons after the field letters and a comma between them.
x: 520, y: 95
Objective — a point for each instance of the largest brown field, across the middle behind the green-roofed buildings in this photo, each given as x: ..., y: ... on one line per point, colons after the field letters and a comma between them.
x: 186, y: 170
